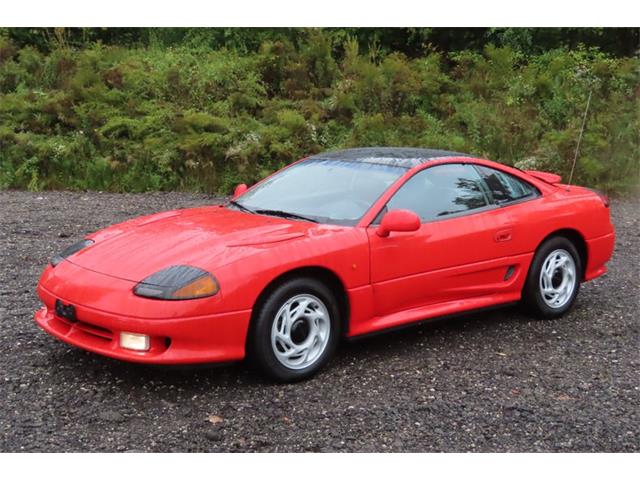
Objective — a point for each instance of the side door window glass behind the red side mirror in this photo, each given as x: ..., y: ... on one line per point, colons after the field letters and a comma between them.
x: 440, y: 191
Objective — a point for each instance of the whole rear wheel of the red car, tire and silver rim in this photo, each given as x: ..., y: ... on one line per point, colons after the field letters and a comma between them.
x: 554, y: 278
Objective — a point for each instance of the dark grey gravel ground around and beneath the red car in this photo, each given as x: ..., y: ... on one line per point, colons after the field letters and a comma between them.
x: 488, y: 382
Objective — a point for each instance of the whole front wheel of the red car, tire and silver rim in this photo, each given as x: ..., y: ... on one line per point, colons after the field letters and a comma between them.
x: 296, y: 330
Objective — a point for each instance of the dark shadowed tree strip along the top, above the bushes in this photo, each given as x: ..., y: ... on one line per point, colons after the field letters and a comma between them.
x: 411, y: 41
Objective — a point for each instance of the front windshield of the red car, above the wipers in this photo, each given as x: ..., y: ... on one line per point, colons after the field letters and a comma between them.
x: 326, y: 191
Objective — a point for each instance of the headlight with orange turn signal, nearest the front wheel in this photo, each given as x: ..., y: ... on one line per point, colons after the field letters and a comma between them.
x: 179, y: 282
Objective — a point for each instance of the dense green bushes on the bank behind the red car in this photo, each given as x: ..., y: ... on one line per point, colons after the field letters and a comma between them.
x: 185, y: 115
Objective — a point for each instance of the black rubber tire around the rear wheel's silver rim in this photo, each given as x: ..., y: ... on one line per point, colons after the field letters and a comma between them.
x: 532, y: 295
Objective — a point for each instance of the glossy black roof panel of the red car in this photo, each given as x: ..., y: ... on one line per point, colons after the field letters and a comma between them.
x: 393, y: 156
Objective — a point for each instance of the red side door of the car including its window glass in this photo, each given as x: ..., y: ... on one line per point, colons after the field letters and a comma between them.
x: 458, y: 250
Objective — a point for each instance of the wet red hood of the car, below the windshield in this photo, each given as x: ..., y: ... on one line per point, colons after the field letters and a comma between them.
x: 205, y: 237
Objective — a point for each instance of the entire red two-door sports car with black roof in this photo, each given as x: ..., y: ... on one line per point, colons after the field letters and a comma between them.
x: 339, y: 244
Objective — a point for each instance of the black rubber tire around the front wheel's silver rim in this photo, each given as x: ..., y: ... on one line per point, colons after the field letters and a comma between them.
x: 259, y: 344
